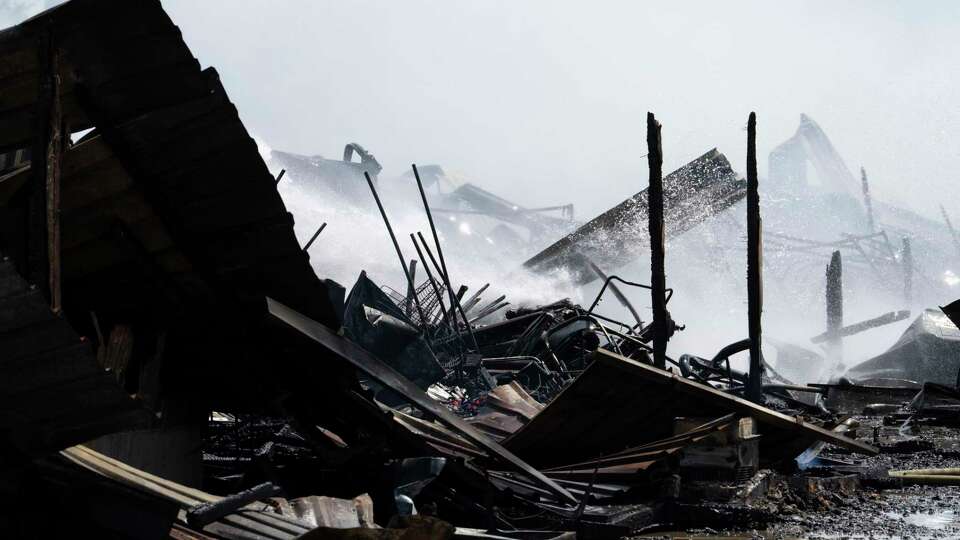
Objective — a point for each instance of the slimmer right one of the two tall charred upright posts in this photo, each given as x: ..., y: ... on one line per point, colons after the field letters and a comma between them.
x: 754, y: 390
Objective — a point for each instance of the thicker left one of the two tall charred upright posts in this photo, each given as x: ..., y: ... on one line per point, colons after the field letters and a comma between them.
x: 658, y: 279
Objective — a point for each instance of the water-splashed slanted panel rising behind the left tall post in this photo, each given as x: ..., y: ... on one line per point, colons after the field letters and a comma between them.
x: 698, y: 190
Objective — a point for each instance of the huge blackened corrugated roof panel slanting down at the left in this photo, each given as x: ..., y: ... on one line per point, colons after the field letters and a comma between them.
x: 179, y: 152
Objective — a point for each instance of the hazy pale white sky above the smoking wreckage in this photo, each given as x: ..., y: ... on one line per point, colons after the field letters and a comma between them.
x: 545, y: 101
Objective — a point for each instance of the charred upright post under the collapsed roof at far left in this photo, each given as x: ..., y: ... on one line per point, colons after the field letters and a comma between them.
x: 46, y: 155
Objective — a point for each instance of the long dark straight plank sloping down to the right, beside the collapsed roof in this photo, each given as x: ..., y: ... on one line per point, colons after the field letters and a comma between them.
x: 364, y: 361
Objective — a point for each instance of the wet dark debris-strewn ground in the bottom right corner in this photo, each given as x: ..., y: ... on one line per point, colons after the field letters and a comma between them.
x: 879, y: 509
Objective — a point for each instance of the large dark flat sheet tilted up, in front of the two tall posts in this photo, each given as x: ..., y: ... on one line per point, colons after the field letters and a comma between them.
x: 618, y: 403
